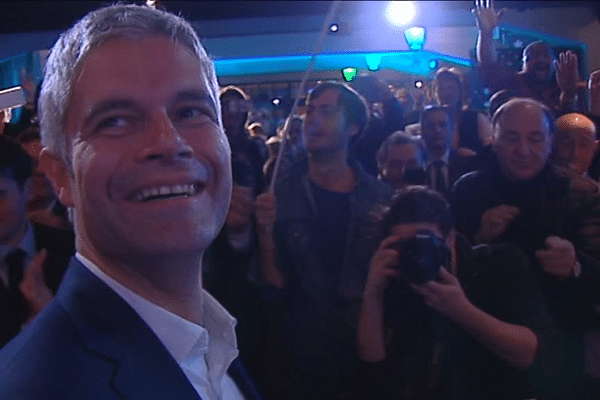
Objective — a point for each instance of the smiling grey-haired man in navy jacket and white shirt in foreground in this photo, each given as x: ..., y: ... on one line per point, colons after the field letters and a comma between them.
x: 134, y: 146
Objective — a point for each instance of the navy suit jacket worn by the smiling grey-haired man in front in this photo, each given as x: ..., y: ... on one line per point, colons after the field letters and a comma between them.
x: 89, y: 343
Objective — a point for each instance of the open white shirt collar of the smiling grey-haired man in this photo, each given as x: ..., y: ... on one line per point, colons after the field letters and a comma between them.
x: 182, y: 338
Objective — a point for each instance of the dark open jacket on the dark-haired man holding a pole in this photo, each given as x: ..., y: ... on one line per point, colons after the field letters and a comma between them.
x: 320, y: 321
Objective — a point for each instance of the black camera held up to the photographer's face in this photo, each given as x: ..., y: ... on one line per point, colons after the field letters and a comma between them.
x: 422, y: 256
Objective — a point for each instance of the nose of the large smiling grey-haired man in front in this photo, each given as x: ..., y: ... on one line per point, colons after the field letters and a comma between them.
x: 163, y: 141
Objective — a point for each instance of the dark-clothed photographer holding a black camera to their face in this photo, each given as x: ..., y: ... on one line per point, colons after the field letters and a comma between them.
x: 477, y: 327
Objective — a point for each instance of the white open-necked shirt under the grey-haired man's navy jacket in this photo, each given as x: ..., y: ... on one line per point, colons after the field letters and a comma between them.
x: 203, y: 353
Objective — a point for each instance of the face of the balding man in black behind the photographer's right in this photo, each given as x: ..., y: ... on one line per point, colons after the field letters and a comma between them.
x: 522, y: 141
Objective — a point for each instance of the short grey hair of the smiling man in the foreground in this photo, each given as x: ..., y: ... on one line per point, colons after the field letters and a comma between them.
x: 73, y: 47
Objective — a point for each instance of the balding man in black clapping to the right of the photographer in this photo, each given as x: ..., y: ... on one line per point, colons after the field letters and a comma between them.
x: 551, y: 213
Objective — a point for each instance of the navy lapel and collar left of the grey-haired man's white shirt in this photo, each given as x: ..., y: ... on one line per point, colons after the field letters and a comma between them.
x: 111, y: 329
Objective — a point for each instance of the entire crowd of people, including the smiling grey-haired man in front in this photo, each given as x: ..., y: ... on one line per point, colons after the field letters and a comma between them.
x: 155, y: 242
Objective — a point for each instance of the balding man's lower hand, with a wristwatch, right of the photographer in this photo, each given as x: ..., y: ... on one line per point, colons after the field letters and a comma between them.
x: 558, y: 258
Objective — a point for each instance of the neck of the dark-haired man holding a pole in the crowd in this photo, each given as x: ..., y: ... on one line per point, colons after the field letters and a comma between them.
x: 332, y: 172
